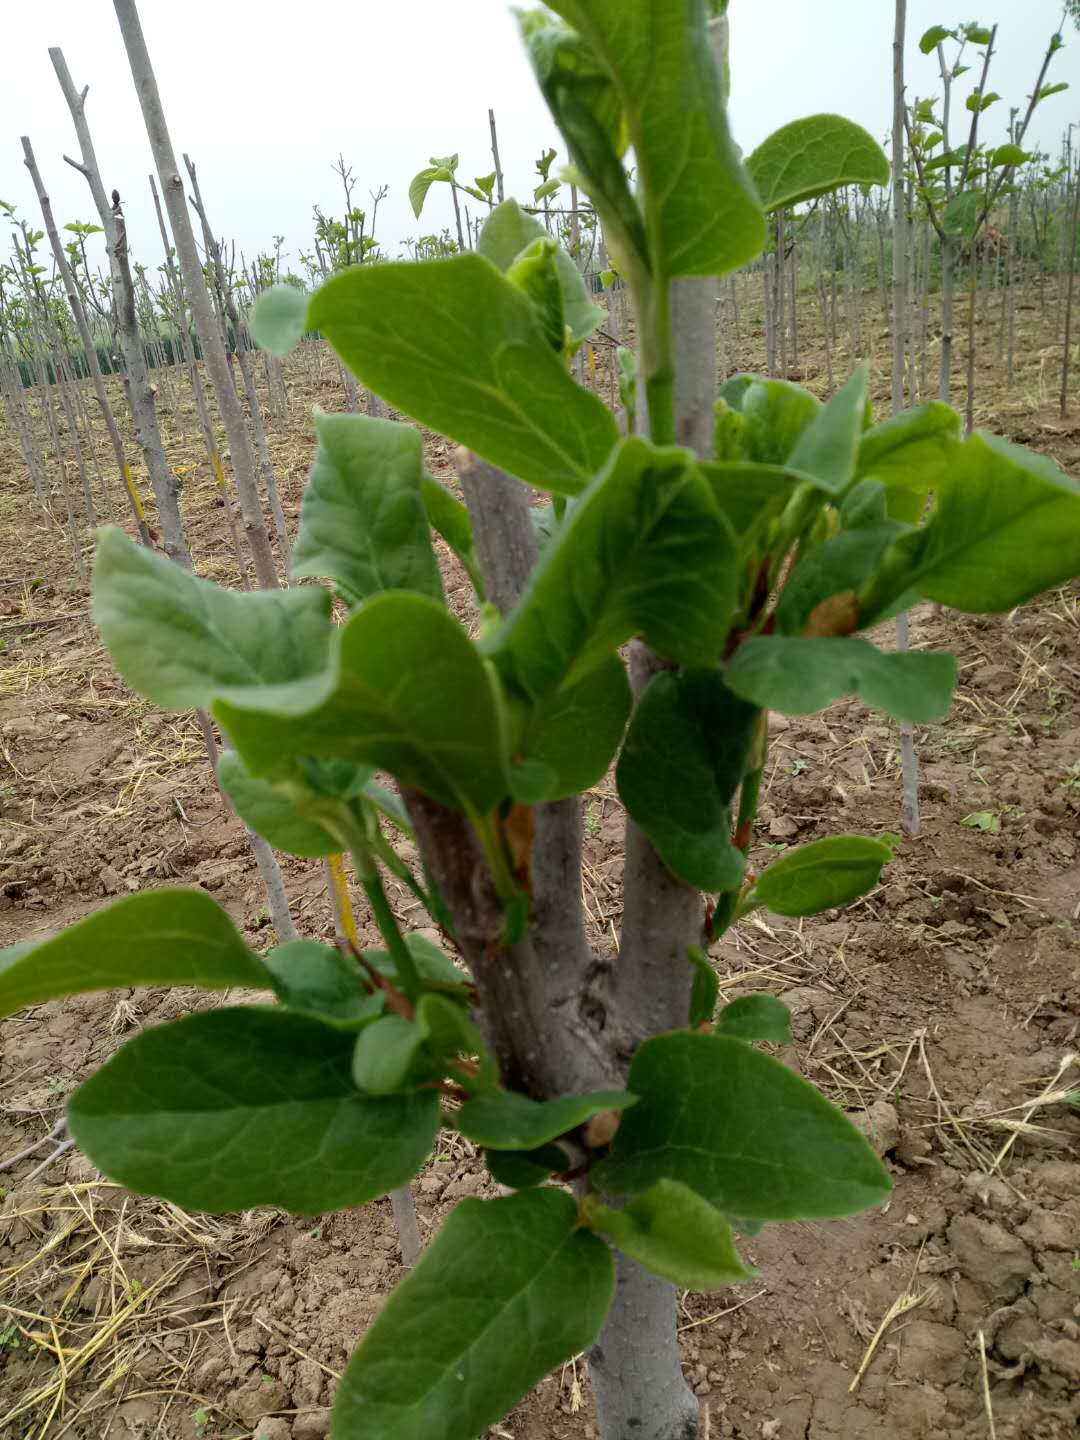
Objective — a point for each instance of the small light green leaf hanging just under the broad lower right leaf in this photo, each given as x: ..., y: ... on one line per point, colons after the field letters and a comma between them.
x: 673, y: 1232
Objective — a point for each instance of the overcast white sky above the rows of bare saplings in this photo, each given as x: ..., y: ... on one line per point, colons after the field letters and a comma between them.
x: 264, y: 94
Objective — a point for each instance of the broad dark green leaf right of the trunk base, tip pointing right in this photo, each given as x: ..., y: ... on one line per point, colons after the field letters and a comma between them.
x: 800, y: 1158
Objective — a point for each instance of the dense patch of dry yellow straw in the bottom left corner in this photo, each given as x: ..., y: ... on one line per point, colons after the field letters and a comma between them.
x: 93, y: 1239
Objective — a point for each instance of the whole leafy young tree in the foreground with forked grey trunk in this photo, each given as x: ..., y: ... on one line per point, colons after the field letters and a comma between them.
x: 744, y: 572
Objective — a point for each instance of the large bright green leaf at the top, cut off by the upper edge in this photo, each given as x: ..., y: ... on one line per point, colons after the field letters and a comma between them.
x: 702, y: 212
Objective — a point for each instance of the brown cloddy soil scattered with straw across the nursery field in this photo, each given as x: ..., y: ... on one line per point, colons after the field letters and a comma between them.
x: 941, y: 1012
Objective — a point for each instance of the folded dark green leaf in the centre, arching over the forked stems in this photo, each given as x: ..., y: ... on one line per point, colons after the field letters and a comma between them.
x: 646, y: 549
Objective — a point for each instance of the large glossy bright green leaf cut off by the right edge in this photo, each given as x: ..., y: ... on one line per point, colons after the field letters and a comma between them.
x: 1006, y: 528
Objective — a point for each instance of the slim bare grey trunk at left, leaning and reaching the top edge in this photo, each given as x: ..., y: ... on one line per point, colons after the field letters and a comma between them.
x: 199, y: 299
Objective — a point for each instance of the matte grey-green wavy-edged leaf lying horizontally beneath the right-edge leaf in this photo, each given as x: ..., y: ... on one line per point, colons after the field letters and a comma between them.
x: 798, y: 676
